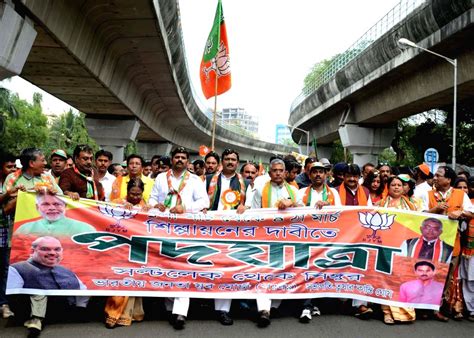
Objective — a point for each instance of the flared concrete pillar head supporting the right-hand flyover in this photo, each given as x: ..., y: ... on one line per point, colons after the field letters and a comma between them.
x: 365, y: 144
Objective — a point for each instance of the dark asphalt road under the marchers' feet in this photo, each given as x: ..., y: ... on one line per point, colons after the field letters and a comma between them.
x: 331, y: 325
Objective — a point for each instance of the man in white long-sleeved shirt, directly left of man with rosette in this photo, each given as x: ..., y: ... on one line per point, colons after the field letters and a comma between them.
x: 179, y: 191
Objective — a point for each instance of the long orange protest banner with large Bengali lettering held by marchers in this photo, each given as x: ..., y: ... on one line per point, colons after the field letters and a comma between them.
x: 363, y: 253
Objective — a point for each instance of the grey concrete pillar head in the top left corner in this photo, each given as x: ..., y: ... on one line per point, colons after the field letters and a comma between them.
x: 16, y: 39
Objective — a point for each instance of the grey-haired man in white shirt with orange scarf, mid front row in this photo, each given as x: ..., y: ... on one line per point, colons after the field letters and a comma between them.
x: 276, y: 193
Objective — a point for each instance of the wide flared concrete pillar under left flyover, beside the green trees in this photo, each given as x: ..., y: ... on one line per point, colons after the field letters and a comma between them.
x: 113, y: 135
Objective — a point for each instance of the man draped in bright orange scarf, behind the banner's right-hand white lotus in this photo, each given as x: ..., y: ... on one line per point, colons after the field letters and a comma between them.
x: 352, y: 193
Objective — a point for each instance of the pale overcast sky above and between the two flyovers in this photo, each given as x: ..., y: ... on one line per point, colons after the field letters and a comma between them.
x: 273, y: 45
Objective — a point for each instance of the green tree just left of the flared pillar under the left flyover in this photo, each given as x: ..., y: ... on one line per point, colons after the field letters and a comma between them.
x: 67, y: 131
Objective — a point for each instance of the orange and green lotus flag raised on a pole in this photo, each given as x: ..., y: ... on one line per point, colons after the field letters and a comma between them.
x: 215, y: 64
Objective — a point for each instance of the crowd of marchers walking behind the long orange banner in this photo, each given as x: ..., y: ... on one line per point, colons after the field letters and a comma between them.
x: 177, y: 184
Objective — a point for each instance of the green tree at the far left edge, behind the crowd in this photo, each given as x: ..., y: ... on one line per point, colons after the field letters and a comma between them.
x: 29, y: 129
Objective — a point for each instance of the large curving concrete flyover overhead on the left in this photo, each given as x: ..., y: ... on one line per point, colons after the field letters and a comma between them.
x: 122, y: 63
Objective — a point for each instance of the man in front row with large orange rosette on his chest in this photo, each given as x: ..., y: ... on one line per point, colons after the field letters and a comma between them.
x: 226, y: 191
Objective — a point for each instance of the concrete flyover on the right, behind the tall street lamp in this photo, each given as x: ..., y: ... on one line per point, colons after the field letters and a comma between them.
x: 365, y: 99
